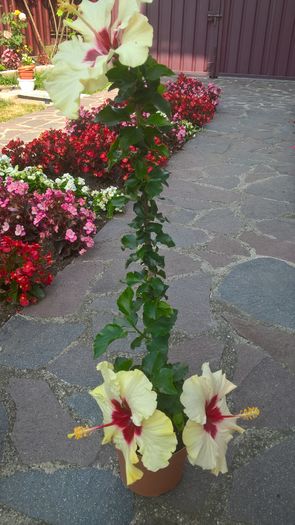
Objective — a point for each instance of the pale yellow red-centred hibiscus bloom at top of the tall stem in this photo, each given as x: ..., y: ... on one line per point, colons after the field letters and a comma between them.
x: 81, y: 64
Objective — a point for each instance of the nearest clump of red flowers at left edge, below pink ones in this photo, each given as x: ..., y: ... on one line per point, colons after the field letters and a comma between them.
x: 24, y: 271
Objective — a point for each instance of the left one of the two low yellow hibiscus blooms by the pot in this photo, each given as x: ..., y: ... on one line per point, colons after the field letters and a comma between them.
x: 131, y: 420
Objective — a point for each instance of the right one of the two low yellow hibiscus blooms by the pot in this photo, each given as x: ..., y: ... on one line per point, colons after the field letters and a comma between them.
x: 210, y: 425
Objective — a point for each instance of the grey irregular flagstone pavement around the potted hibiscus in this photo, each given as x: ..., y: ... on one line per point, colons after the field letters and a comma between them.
x: 230, y: 203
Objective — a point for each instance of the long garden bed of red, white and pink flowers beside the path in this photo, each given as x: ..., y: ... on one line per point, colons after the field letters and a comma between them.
x: 62, y: 213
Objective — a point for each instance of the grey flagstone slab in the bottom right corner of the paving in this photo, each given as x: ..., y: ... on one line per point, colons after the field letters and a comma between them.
x: 263, y: 490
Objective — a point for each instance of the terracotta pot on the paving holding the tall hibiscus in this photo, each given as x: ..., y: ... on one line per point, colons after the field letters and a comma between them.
x: 156, y: 483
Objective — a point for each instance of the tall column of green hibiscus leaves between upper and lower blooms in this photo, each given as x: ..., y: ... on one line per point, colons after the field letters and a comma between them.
x: 144, y: 310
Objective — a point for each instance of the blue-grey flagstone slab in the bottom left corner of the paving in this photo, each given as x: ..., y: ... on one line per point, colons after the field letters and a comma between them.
x: 69, y: 497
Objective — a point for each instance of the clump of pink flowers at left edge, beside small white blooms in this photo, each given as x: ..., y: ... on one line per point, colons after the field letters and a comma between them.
x: 54, y: 215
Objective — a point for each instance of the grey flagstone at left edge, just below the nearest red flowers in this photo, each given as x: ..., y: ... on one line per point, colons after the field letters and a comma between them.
x: 27, y: 343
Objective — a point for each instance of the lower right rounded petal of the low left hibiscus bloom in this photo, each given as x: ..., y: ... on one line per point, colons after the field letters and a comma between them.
x: 157, y: 441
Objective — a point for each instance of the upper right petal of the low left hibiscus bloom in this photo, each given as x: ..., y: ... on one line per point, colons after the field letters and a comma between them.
x: 137, y: 390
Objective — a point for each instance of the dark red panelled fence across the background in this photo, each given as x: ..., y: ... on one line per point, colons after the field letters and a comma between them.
x: 234, y: 37
